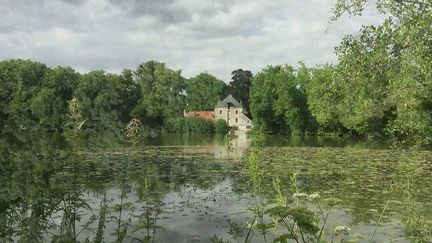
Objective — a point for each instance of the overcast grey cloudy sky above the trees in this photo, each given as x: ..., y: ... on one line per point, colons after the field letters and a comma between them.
x: 216, y: 36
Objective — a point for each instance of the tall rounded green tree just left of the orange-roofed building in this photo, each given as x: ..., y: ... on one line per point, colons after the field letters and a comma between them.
x: 162, y: 91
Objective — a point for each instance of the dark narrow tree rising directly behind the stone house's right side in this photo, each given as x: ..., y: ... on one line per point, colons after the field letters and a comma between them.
x: 240, y: 85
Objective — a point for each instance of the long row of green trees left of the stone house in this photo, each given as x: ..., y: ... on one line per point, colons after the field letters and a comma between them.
x: 36, y: 97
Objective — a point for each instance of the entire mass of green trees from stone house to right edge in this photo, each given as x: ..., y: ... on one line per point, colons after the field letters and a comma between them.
x: 381, y: 85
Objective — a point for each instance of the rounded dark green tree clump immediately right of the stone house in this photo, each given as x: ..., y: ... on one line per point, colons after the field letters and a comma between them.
x: 278, y: 100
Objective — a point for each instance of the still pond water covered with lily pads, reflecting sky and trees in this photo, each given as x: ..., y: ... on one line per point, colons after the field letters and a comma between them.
x: 181, y: 188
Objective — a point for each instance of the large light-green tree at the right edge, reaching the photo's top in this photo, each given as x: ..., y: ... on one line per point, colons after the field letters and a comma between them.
x: 393, y: 60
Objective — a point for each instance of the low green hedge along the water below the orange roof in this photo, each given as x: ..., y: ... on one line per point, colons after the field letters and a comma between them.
x: 188, y: 125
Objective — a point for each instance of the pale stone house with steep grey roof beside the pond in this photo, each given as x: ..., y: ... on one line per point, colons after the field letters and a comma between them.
x: 233, y: 113
